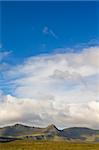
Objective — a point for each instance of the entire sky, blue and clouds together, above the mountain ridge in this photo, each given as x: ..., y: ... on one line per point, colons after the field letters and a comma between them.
x: 49, y: 59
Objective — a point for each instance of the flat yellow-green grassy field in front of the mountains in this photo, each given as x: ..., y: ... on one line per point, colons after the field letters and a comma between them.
x: 47, y: 145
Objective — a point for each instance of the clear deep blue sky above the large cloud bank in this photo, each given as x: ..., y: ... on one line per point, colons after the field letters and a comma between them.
x: 23, y: 23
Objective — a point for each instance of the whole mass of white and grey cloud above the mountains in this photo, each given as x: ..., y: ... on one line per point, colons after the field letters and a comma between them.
x: 59, y: 88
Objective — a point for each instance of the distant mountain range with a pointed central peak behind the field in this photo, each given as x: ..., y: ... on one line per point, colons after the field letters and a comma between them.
x: 19, y: 131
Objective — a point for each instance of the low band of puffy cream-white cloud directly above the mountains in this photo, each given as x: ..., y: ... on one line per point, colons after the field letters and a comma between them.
x: 44, y: 112
